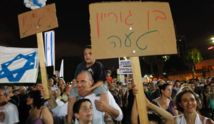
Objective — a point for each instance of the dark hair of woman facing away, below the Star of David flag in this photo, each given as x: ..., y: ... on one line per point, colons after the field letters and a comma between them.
x: 38, y: 100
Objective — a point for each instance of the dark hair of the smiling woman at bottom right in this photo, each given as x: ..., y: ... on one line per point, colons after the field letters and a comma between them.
x: 179, y: 95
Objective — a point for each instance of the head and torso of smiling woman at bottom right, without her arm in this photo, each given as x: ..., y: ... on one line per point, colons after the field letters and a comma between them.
x: 186, y: 102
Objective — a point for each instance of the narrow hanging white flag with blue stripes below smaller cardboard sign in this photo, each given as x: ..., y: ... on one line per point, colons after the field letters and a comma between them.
x: 50, y: 48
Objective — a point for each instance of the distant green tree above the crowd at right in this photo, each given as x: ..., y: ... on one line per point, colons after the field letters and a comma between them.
x: 194, y: 56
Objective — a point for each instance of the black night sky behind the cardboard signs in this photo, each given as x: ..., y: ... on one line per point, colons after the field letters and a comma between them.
x: 192, y: 18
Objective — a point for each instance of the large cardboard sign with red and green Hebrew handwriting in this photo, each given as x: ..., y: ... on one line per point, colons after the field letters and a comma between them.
x: 131, y: 29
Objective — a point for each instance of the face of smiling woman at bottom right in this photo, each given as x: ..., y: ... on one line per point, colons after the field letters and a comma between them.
x: 188, y: 102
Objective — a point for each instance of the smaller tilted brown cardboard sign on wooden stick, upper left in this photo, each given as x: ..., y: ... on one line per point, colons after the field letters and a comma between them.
x: 37, y: 20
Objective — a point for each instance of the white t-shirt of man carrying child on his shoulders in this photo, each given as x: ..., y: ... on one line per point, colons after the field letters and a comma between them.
x: 98, y: 116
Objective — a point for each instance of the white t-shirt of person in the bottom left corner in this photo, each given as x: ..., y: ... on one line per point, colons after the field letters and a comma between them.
x: 9, y: 114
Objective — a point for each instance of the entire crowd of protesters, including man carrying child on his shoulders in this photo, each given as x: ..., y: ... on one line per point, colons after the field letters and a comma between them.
x: 95, y: 97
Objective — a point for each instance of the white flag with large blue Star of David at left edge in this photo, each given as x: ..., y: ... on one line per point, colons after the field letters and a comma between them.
x: 18, y: 65
